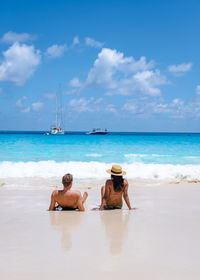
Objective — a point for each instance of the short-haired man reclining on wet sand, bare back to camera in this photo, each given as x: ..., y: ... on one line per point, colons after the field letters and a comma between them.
x: 67, y: 199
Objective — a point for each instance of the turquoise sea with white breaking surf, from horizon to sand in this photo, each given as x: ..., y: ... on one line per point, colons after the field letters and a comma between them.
x: 145, y: 155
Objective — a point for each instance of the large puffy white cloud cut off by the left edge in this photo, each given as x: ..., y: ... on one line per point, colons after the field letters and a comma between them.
x: 19, y: 63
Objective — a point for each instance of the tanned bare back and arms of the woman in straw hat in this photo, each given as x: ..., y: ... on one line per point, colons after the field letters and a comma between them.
x: 116, y: 199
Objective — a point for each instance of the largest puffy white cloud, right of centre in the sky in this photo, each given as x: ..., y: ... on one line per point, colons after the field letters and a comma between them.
x: 123, y: 75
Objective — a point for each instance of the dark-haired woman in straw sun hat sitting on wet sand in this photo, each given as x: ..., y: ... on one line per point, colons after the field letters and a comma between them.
x: 111, y: 194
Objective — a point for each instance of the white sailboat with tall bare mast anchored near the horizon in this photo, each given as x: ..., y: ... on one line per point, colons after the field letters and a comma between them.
x: 57, y: 129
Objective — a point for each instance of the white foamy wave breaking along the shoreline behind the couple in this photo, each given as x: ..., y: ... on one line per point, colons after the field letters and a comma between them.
x: 97, y: 170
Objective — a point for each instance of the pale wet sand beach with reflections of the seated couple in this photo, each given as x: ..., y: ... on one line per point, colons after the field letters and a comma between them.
x: 159, y: 240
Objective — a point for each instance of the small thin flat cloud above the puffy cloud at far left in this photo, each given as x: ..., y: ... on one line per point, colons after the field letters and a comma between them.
x: 12, y: 37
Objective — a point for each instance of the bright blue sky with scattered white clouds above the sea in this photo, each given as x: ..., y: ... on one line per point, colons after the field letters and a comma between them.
x: 122, y: 65
